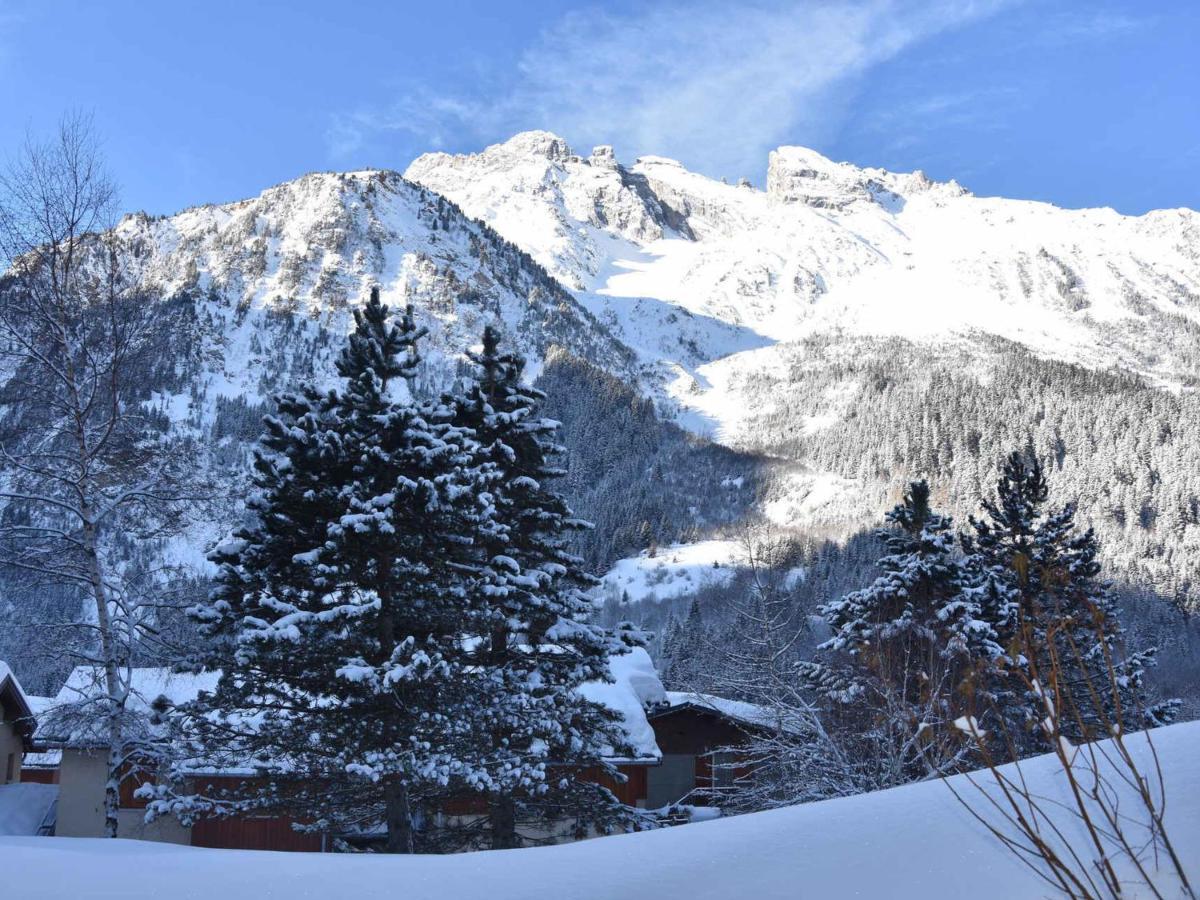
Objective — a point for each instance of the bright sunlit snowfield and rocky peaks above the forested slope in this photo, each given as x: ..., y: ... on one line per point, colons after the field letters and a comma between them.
x: 830, y: 248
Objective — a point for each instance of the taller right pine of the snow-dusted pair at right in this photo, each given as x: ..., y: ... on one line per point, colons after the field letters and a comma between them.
x: 1041, y: 590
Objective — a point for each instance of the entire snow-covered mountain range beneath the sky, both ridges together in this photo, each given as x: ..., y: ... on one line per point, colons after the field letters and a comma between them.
x: 838, y: 333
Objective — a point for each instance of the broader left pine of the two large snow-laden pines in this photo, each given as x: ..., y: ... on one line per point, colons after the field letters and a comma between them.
x: 340, y: 611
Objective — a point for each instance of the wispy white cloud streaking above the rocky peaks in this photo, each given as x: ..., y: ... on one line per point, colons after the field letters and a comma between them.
x: 709, y: 83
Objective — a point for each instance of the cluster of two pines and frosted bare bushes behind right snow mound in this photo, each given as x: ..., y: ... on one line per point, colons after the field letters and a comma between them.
x: 957, y: 645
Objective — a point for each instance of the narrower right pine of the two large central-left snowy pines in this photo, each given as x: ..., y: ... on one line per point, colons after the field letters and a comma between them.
x: 536, y: 645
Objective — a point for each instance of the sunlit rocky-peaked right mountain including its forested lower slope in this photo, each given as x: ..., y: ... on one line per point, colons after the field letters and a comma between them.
x: 867, y: 327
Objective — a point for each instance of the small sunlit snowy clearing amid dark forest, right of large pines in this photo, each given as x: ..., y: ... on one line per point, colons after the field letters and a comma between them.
x: 676, y: 571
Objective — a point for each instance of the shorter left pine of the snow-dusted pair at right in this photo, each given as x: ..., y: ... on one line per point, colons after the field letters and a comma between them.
x: 915, y: 641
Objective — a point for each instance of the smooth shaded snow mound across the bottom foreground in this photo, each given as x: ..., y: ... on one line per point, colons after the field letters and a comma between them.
x: 914, y: 842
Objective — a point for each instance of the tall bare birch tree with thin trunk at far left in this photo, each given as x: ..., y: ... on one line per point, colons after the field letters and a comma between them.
x: 83, y: 475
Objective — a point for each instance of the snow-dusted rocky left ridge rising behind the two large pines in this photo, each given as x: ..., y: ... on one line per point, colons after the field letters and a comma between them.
x: 297, y: 259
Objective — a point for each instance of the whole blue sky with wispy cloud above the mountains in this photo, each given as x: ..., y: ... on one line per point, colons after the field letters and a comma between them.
x: 1081, y: 104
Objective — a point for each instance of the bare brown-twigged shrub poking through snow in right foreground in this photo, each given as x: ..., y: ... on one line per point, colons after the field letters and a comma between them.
x: 1106, y: 836
